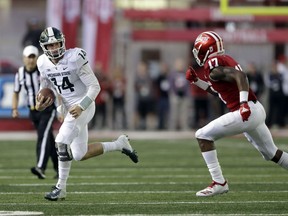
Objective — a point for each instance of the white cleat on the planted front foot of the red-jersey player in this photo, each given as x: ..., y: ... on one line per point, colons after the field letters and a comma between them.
x: 214, y: 189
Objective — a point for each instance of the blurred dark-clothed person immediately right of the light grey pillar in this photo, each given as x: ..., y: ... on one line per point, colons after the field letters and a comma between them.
x: 143, y: 89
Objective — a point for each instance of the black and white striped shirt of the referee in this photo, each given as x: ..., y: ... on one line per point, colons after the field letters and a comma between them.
x: 30, y: 81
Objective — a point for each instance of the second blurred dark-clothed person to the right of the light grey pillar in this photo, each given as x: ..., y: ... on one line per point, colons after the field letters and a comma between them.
x: 163, y: 93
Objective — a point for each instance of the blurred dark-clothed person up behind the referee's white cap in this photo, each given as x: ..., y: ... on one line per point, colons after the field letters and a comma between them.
x: 32, y: 34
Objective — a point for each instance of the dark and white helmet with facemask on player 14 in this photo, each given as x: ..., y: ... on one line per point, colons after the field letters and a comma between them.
x: 52, y: 35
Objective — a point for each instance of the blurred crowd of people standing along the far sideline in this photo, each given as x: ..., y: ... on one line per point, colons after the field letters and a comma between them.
x: 164, y: 100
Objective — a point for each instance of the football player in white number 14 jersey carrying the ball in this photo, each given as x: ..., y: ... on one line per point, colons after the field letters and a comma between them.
x: 69, y: 73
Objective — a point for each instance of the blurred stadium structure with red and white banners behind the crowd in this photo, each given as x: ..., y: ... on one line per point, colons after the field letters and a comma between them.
x: 138, y: 30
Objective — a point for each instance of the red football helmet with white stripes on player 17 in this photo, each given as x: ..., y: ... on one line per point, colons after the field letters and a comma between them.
x: 206, y: 45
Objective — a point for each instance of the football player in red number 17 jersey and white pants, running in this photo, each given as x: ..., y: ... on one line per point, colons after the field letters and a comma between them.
x: 225, y: 78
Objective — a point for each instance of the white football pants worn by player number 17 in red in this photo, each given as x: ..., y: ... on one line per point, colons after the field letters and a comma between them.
x: 255, y: 129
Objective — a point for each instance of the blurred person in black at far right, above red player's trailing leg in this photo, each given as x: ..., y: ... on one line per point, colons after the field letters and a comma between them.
x: 276, y: 96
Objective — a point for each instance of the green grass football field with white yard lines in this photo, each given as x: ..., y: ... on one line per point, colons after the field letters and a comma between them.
x: 164, y: 181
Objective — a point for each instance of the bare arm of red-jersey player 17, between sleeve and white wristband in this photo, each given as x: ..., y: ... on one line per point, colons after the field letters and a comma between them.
x: 230, y: 74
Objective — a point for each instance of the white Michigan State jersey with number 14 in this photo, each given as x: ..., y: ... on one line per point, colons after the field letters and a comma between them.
x: 71, y: 77
